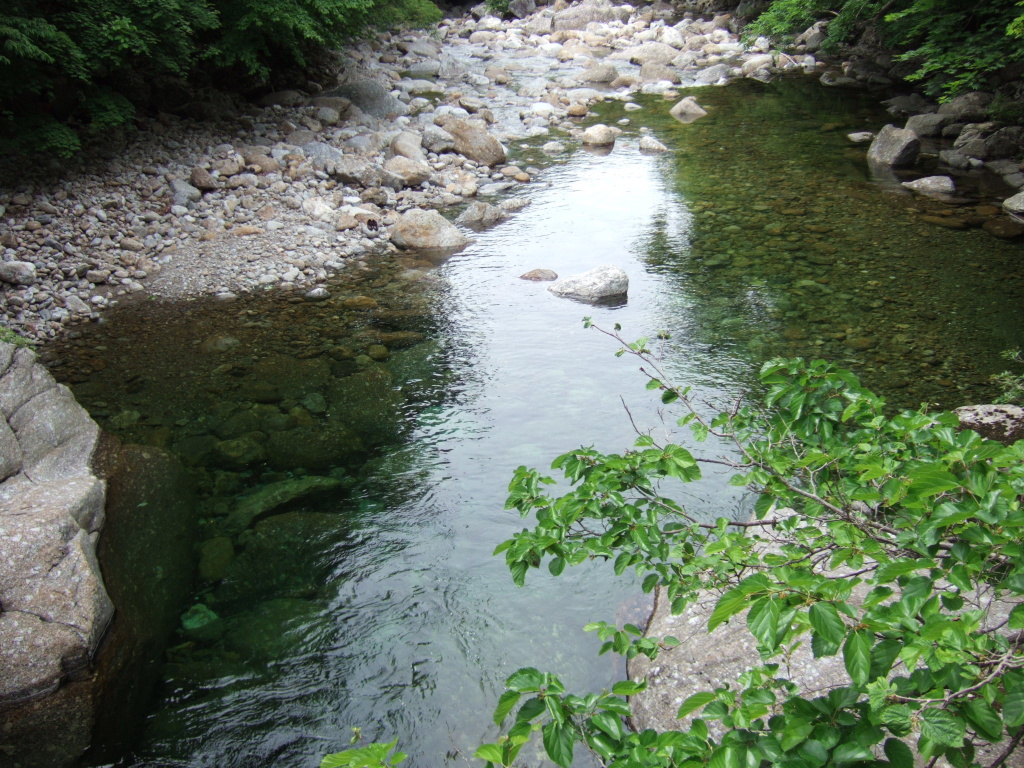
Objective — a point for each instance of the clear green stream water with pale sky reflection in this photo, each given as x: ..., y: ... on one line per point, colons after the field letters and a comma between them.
x: 378, y: 603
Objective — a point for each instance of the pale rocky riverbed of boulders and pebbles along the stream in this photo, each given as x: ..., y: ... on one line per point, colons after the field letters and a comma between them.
x: 282, y: 194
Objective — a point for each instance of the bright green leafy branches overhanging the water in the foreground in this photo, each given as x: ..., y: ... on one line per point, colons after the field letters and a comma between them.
x: 893, y: 542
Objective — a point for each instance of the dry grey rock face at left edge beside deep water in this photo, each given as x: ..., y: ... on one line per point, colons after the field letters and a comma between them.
x: 55, y: 607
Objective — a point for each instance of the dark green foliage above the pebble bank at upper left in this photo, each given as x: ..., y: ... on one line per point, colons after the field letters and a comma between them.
x: 81, y: 67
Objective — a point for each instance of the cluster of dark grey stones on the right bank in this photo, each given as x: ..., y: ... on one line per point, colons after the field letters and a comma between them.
x: 950, y: 140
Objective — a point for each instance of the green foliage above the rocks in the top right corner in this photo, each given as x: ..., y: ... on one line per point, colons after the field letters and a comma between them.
x: 955, y: 46
